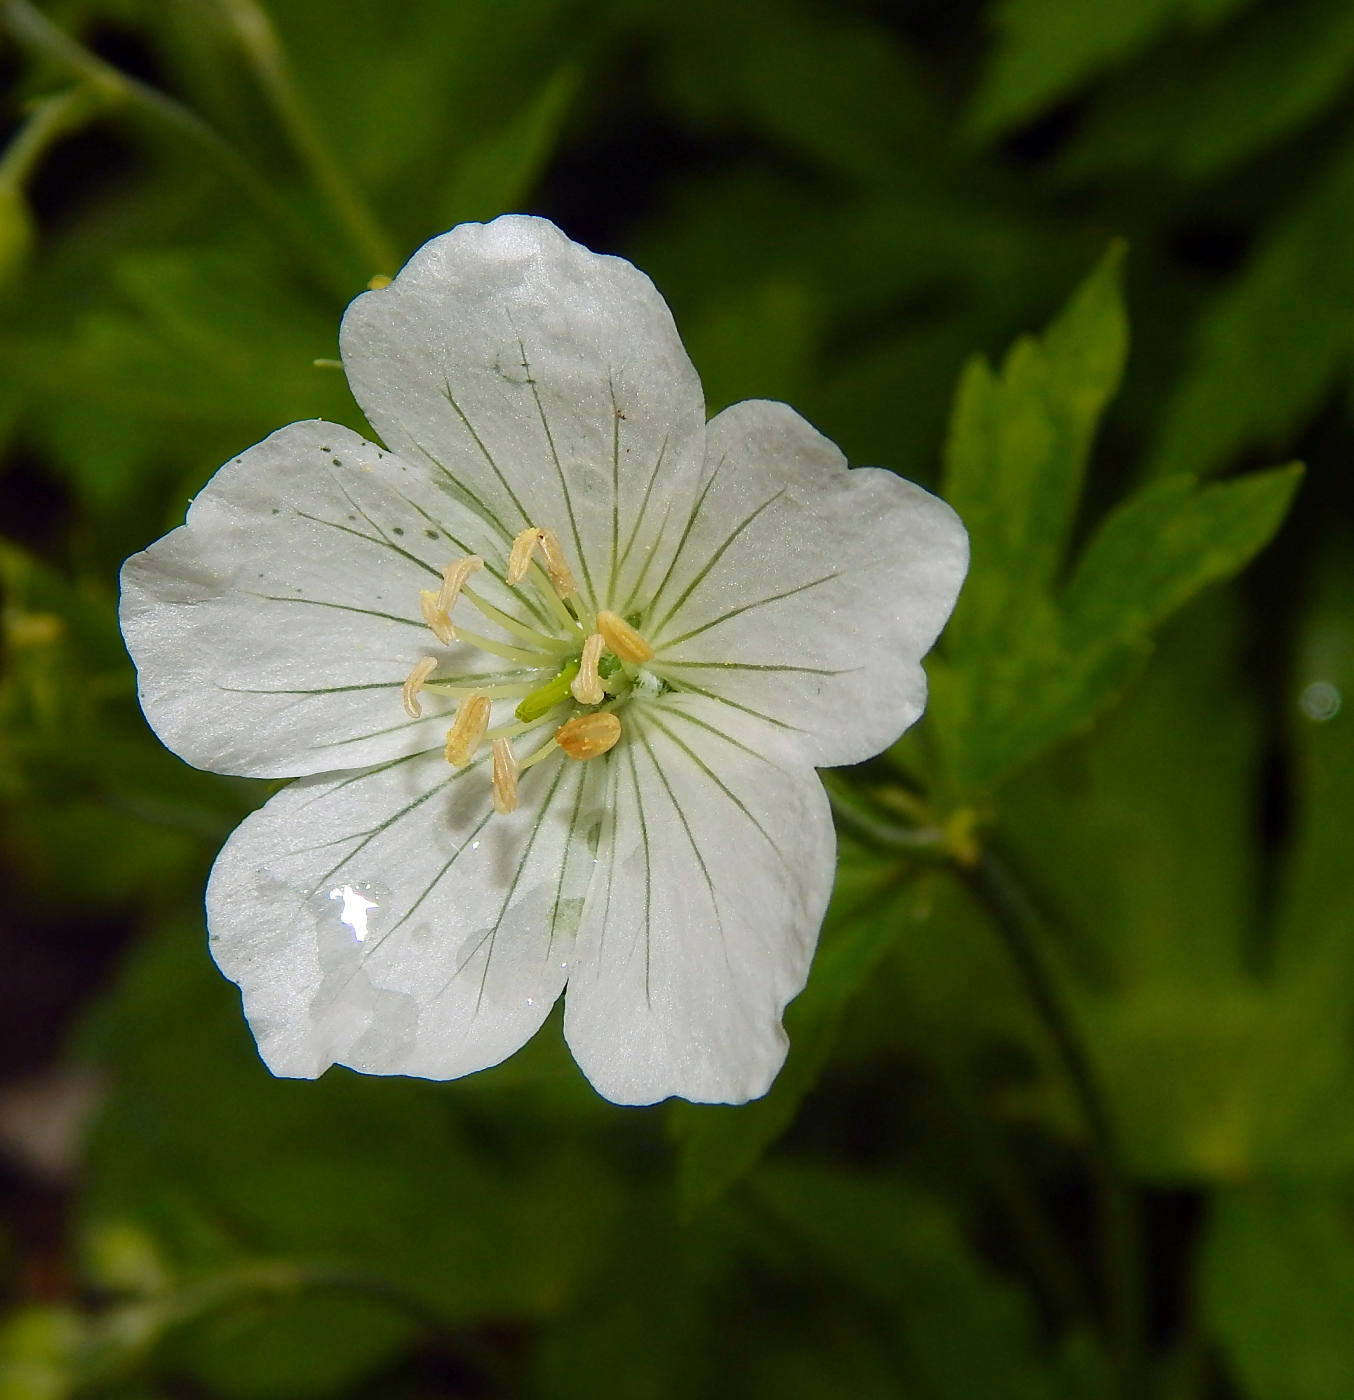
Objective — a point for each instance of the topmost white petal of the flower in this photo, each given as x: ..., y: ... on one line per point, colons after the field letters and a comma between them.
x: 547, y: 379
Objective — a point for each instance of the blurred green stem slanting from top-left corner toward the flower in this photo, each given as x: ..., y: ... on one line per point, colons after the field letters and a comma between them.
x: 37, y: 33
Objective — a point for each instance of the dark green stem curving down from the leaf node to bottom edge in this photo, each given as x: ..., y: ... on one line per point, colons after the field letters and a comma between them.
x: 1021, y: 930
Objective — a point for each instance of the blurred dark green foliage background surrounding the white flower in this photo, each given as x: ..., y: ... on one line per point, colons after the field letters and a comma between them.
x: 1070, y: 1109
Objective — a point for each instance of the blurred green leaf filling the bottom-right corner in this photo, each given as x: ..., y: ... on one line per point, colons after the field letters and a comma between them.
x: 1279, y: 1291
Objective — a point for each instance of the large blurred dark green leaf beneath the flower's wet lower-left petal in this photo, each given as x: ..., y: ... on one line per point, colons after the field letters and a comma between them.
x: 223, y: 1164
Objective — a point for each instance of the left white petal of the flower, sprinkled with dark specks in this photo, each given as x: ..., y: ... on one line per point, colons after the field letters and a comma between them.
x: 274, y: 631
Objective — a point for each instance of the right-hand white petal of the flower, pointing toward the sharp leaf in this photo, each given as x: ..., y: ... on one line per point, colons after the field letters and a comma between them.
x: 807, y: 593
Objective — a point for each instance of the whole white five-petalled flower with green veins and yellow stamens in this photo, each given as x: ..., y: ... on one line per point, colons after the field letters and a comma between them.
x: 418, y: 901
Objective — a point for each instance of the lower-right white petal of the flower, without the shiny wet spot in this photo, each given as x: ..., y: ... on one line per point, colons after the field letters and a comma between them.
x: 713, y: 874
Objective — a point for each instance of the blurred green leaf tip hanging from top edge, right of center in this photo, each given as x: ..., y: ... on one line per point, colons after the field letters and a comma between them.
x: 1049, y: 48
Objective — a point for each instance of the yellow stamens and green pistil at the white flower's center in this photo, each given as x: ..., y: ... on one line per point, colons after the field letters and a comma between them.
x: 573, y: 682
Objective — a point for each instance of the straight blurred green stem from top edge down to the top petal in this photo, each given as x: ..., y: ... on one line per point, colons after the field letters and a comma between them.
x: 258, y: 38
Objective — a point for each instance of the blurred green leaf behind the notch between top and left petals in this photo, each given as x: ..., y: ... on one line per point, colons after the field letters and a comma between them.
x: 195, y: 355
